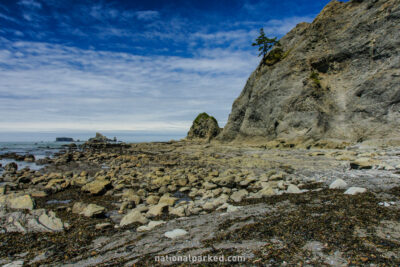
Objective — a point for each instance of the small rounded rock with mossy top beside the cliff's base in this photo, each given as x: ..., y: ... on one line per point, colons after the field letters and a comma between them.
x: 204, y: 127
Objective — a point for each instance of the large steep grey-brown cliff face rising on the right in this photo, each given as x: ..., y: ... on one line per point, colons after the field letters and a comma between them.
x: 337, y: 78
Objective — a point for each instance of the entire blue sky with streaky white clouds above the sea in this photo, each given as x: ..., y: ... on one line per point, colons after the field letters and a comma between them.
x: 131, y: 65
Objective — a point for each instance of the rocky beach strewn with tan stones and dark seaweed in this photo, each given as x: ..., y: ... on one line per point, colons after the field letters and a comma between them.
x: 125, y: 204
